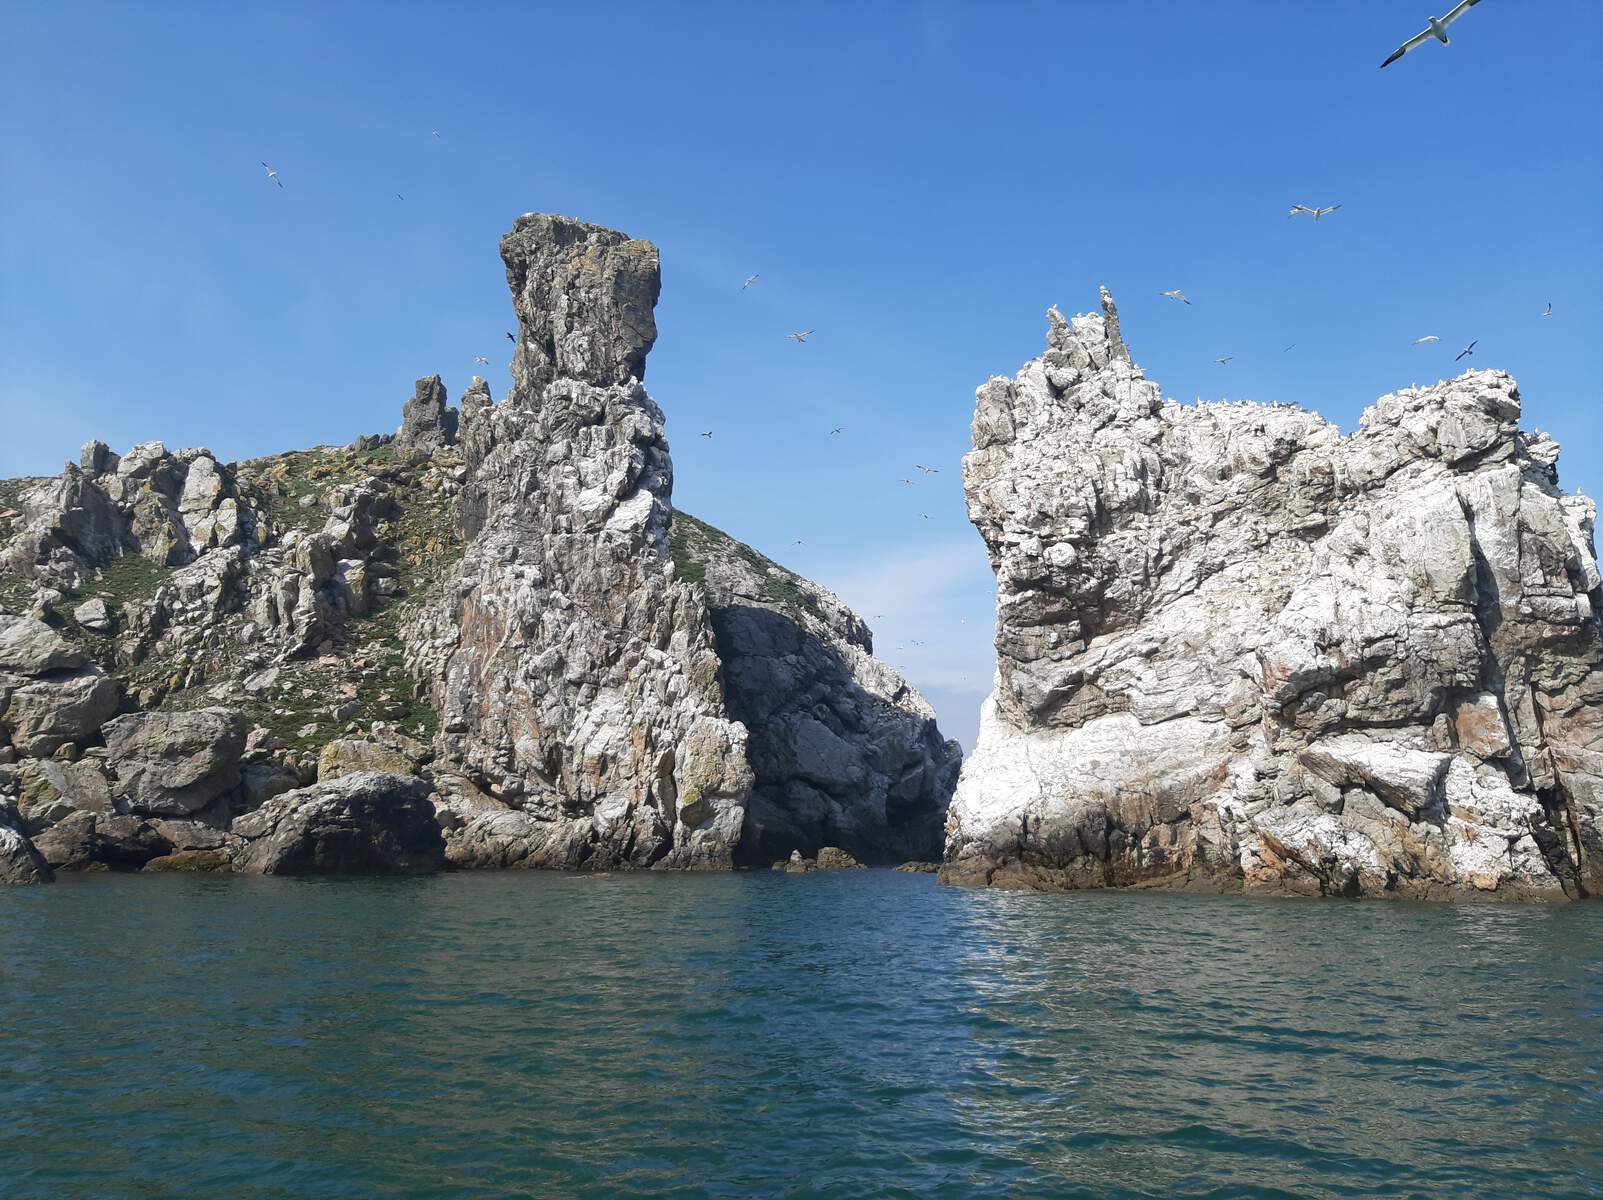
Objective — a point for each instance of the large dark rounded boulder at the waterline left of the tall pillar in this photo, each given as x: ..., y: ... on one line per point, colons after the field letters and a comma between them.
x: 360, y: 824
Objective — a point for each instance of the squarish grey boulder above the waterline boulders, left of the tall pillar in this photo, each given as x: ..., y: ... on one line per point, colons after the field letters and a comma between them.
x: 176, y: 763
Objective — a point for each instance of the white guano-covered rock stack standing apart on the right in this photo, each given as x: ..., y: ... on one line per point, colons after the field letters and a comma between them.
x: 1240, y: 651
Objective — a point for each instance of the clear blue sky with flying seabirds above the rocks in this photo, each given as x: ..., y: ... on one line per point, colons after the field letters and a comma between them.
x: 916, y: 182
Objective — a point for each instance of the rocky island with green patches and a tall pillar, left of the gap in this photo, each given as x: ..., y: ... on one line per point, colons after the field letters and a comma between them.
x: 483, y: 642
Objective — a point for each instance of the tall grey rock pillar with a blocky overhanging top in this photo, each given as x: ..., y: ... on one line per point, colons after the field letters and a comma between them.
x: 575, y: 677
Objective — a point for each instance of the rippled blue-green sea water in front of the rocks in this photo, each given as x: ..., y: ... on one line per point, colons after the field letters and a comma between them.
x: 857, y: 1034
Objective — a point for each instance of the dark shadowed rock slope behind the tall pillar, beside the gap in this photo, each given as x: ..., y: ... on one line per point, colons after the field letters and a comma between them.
x: 844, y: 751
